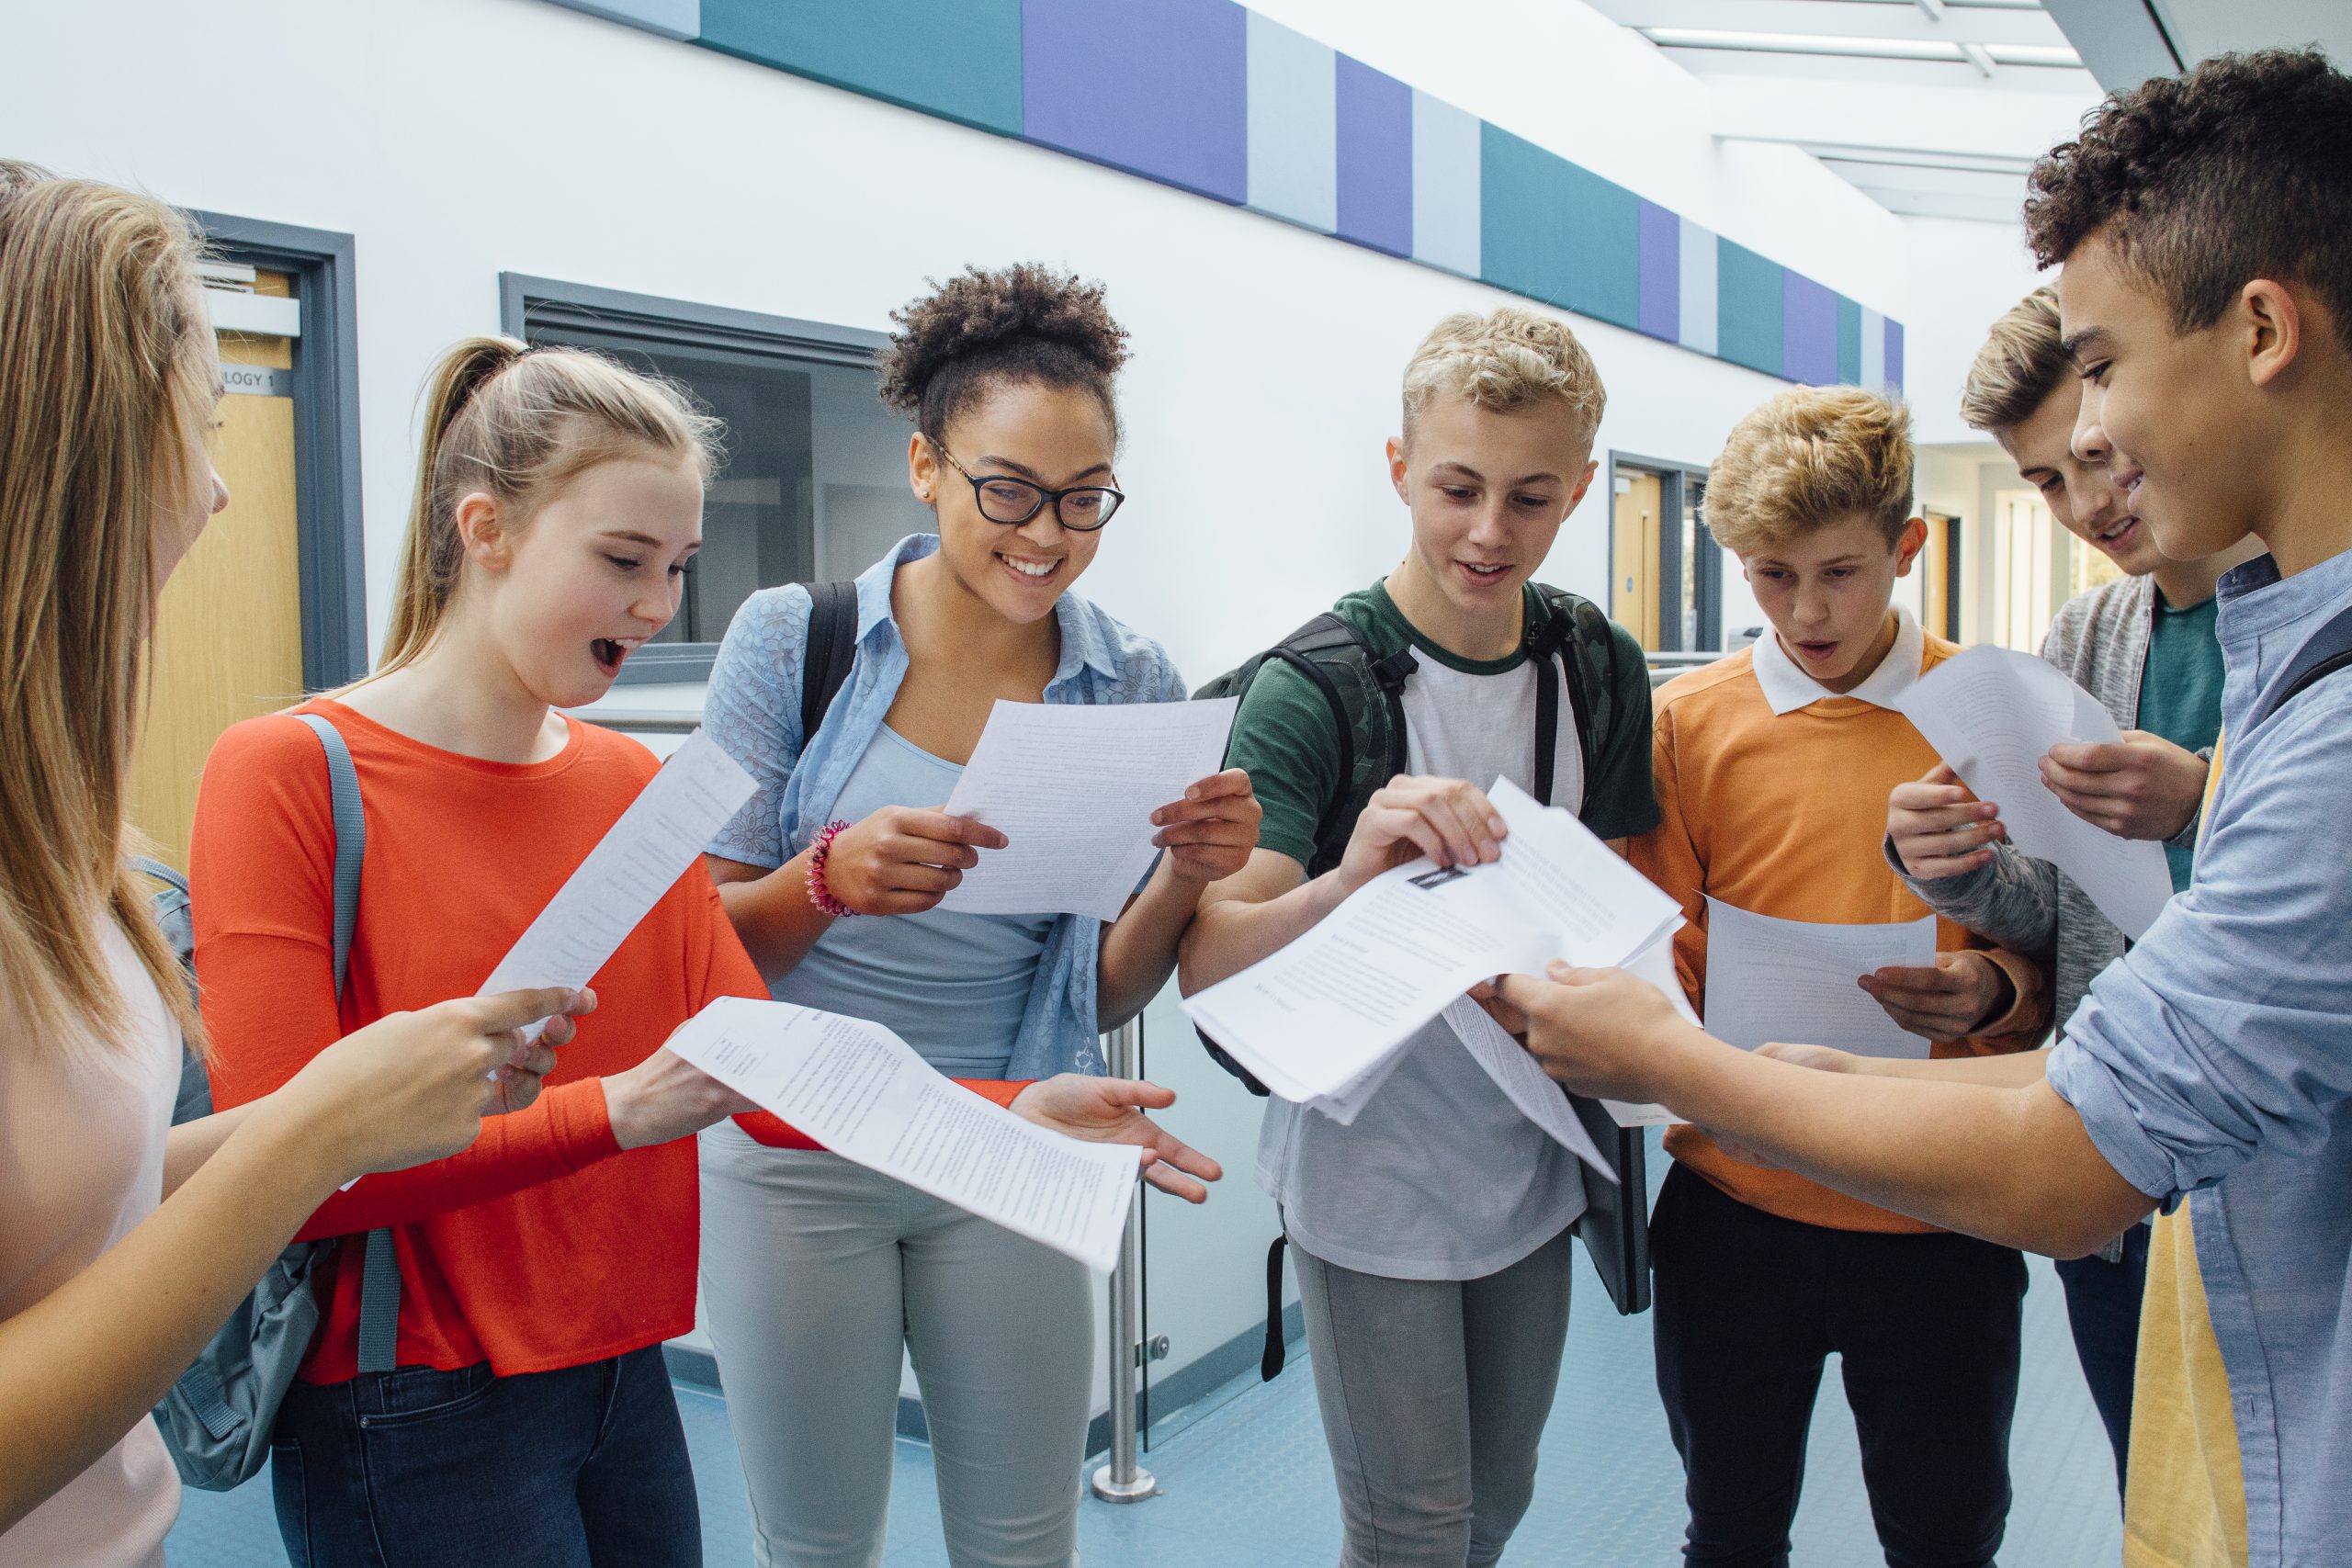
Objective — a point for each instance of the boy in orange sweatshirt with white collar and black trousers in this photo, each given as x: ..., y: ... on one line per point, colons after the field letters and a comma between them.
x: 1772, y: 775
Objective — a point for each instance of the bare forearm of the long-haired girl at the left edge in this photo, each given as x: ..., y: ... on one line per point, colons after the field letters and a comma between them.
x: 88, y: 1362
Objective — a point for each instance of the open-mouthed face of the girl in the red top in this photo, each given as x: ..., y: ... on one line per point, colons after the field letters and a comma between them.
x: 589, y: 582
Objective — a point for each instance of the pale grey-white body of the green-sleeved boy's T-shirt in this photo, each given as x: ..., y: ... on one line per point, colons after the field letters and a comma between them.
x: 1441, y: 1177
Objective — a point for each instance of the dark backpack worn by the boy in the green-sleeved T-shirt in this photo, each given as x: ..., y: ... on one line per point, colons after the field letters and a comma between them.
x: 1368, y: 711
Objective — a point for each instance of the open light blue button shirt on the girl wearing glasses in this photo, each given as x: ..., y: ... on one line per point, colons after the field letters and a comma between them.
x: 754, y: 713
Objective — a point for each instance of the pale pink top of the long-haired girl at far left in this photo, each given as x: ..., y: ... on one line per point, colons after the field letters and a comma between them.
x: 81, y: 1162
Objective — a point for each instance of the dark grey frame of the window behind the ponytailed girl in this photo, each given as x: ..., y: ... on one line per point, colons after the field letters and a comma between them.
x: 657, y: 323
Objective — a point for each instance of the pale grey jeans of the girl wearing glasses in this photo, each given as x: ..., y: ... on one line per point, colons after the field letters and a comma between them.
x: 815, y: 1275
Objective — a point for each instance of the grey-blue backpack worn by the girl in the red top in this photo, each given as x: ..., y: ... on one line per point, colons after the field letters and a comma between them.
x: 218, y: 1419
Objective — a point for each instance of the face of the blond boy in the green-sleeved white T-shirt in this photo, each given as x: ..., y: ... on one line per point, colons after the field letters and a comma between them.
x: 1490, y: 492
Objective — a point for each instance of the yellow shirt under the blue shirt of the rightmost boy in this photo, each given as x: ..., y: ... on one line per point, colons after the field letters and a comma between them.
x: 2186, y: 1494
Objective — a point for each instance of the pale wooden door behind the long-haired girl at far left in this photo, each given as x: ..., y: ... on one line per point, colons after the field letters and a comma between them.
x: 229, y: 629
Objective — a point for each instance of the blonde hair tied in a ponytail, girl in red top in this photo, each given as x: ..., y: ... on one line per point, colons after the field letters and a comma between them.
x: 516, y: 424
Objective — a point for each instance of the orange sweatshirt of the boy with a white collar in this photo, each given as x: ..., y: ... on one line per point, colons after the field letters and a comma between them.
x: 1786, y: 817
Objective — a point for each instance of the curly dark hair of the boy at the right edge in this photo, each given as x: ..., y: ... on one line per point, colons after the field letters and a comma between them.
x: 2238, y: 170
